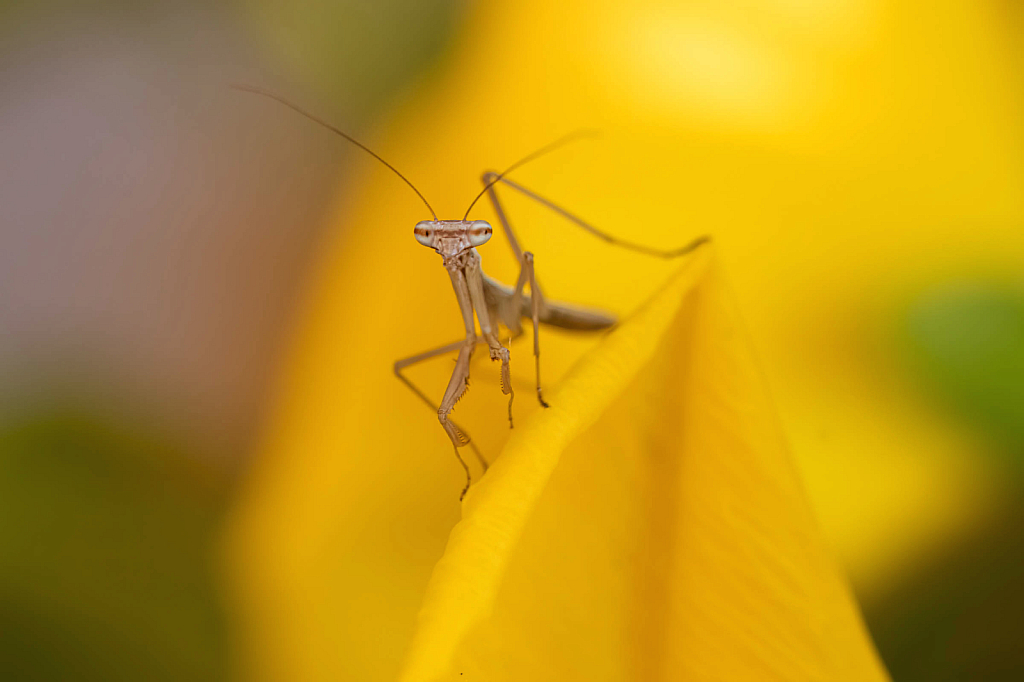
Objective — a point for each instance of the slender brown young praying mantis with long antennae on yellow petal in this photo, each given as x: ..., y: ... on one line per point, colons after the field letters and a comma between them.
x: 493, y: 303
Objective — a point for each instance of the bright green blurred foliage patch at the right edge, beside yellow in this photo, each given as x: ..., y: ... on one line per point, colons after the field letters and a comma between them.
x: 967, y: 344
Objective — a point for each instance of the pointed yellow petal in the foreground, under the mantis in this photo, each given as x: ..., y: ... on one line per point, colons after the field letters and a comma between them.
x: 649, y: 527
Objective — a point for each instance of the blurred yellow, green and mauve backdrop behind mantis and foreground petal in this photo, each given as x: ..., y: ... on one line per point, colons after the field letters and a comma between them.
x: 170, y: 247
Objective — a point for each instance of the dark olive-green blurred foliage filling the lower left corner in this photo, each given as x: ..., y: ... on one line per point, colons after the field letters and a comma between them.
x: 107, y: 543
